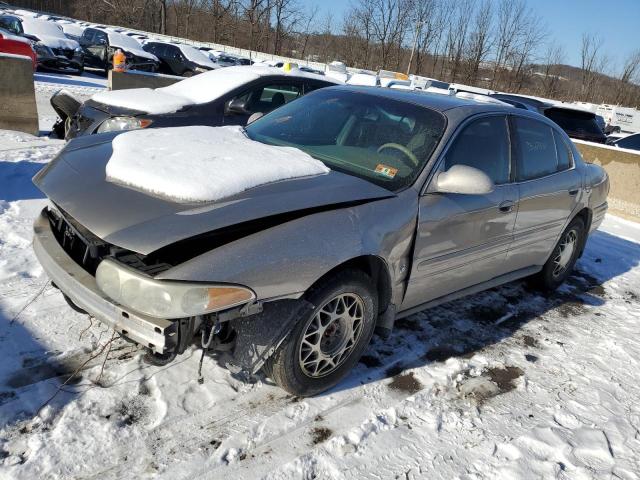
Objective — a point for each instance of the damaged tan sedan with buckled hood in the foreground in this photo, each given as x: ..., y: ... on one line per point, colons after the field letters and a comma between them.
x: 423, y: 203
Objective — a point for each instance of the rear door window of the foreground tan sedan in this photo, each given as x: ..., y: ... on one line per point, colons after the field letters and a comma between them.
x: 536, y: 149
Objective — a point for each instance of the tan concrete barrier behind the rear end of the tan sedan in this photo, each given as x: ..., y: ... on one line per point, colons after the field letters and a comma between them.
x: 623, y: 167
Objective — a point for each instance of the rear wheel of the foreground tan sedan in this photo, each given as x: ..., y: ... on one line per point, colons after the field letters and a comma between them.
x: 556, y: 270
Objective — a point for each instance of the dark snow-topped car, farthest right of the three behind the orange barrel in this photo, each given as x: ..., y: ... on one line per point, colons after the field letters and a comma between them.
x: 180, y: 59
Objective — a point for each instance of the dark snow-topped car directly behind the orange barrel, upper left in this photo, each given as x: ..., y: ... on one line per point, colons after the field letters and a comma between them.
x: 99, y: 46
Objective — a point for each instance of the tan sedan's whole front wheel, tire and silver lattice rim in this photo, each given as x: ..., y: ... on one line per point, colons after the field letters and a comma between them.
x: 349, y: 288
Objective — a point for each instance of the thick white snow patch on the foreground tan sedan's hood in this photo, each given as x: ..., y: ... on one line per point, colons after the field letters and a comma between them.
x: 201, y: 164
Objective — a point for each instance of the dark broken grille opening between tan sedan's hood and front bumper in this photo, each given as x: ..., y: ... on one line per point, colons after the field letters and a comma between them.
x: 88, y: 251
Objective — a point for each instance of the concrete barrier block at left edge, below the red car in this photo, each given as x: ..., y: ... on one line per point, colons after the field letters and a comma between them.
x: 18, y: 109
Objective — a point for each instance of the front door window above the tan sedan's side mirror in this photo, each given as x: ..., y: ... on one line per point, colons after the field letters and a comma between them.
x: 483, y: 144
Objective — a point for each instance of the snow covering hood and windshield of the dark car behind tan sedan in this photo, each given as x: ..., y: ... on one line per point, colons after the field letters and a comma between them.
x: 202, y: 88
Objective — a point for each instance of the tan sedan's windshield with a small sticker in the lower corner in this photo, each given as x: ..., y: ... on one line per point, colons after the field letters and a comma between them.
x: 384, y: 141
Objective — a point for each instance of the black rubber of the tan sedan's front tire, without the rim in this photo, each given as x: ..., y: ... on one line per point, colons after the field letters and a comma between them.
x: 284, y: 365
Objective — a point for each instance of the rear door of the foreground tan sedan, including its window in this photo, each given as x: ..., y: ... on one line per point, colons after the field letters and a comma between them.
x: 549, y: 188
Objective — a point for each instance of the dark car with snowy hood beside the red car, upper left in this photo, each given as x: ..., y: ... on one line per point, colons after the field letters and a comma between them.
x: 55, y: 51
